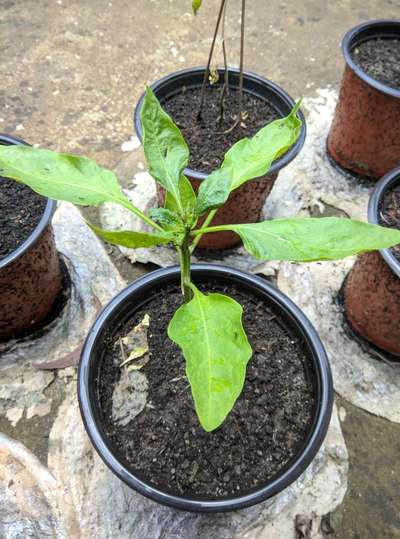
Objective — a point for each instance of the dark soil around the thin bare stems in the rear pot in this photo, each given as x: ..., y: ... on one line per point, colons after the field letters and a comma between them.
x: 206, y: 138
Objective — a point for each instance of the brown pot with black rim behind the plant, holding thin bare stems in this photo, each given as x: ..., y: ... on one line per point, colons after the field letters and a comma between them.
x: 246, y: 203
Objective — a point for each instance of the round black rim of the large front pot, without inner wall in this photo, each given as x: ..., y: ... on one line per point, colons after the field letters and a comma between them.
x: 300, y: 462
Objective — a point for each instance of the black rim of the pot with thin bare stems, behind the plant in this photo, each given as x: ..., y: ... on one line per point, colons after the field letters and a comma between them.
x: 279, y: 163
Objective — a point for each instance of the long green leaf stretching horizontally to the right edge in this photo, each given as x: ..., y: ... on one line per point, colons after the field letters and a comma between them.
x: 310, y: 239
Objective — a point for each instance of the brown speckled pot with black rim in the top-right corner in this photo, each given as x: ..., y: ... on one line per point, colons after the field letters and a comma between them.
x: 365, y: 133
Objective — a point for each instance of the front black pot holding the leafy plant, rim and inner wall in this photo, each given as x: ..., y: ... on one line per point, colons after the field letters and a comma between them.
x: 139, y: 293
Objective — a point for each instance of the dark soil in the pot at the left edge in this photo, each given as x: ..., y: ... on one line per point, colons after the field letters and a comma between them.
x: 20, y: 212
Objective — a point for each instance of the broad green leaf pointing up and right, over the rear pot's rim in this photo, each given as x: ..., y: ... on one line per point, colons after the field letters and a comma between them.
x: 249, y: 158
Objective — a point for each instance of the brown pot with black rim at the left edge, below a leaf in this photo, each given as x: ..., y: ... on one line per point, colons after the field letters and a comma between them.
x: 30, y: 277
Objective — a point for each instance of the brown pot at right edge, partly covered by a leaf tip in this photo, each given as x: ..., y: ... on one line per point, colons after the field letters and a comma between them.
x: 372, y: 290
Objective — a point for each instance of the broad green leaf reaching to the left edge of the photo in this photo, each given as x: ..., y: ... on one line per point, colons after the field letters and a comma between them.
x: 61, y: 176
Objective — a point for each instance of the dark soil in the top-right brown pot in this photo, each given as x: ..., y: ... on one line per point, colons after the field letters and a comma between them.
x: 380, y: 59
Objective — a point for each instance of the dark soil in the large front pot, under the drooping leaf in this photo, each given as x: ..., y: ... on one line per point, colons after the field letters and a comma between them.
x: 165, y: 443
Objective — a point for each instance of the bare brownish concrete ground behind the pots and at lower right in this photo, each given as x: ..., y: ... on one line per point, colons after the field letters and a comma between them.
x: 71, y: 73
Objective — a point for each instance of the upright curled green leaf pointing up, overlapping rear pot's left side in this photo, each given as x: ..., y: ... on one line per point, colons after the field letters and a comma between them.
x: 166, y: 151
